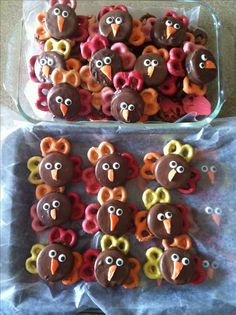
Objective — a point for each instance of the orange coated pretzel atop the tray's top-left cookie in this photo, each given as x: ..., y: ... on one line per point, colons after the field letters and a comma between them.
x: 49, y: 144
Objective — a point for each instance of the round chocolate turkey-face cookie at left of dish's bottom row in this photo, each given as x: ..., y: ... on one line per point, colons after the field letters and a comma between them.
x: 63, y: 101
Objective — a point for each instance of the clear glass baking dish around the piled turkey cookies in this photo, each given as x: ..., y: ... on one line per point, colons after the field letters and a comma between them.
x: 206, y: 19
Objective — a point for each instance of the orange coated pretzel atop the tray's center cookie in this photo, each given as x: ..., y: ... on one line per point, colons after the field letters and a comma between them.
x: 117, y: 193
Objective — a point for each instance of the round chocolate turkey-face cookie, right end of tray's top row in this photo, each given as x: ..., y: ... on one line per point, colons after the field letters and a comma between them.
x: 172, y: 171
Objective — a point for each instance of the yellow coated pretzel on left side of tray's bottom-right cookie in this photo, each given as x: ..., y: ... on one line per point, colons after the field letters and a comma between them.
x: 151, y: 268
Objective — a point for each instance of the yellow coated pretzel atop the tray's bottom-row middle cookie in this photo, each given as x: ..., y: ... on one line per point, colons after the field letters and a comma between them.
x: 121, y: 243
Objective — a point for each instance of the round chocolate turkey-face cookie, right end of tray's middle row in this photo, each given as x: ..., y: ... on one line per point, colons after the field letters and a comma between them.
x: 165, y: 221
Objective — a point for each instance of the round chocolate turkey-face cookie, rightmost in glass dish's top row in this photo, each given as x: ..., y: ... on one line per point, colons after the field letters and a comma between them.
x: 168, y: 32
